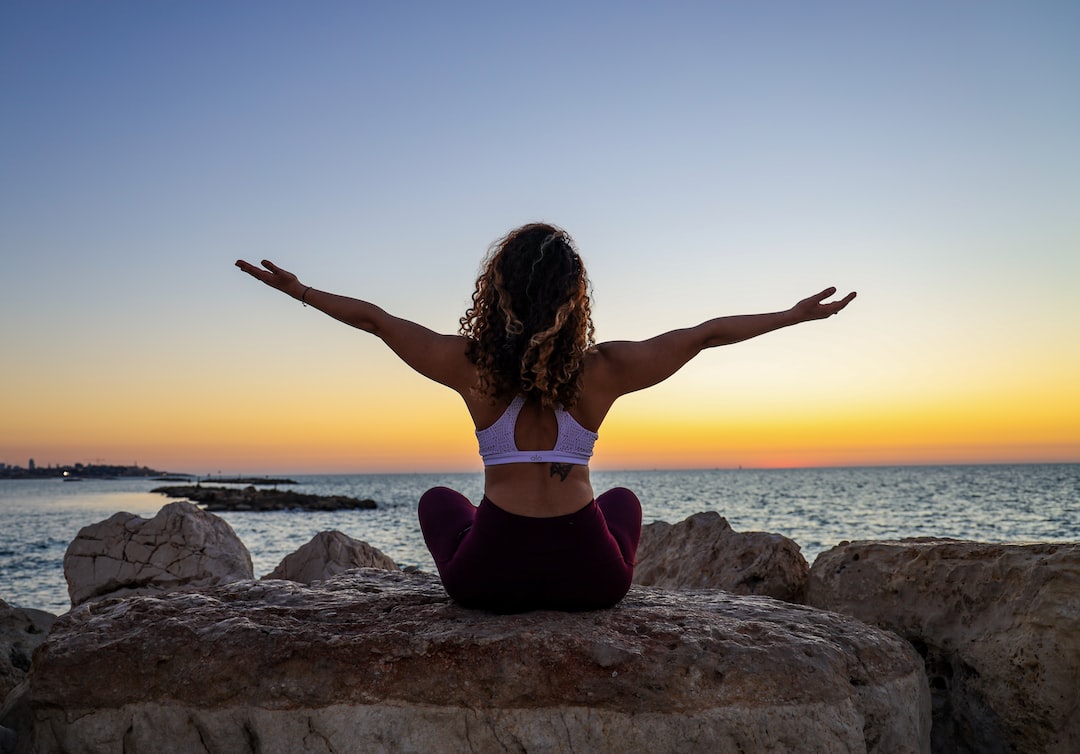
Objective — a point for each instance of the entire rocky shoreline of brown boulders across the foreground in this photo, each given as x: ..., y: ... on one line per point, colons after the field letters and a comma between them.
x: 727, y: 642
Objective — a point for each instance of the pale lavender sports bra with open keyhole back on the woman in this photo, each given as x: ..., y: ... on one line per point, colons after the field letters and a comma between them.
x: 497, y: 447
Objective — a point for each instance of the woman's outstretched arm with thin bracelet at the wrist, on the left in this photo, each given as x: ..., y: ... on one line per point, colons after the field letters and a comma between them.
x: 441, y: 358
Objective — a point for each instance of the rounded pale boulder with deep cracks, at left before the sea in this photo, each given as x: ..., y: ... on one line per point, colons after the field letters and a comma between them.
x: 182, y: 547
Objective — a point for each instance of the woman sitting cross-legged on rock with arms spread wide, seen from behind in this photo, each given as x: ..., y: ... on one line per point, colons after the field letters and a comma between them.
x: 538, y: 389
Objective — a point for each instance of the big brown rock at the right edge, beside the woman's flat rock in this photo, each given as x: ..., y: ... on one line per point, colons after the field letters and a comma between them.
x: 998, y: 625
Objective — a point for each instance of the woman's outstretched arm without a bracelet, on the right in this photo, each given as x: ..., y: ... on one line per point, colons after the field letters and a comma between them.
x: 625, y: 367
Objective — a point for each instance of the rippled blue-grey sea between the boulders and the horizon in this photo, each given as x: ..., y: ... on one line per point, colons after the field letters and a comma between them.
x: 817, y: 508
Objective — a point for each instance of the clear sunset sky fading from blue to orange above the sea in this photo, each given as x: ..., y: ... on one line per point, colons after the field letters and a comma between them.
x: 709, y: 158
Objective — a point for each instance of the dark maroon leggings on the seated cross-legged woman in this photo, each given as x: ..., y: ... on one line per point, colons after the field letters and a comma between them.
x: 509, y: 563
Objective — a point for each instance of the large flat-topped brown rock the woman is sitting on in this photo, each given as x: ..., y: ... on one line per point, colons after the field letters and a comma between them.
x: 377, y: 662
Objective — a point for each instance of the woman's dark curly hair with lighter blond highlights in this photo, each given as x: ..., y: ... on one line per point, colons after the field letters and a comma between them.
x: 531, y: 321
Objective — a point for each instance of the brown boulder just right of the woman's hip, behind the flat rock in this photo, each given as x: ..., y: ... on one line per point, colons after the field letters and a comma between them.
x: 705, y: 553
